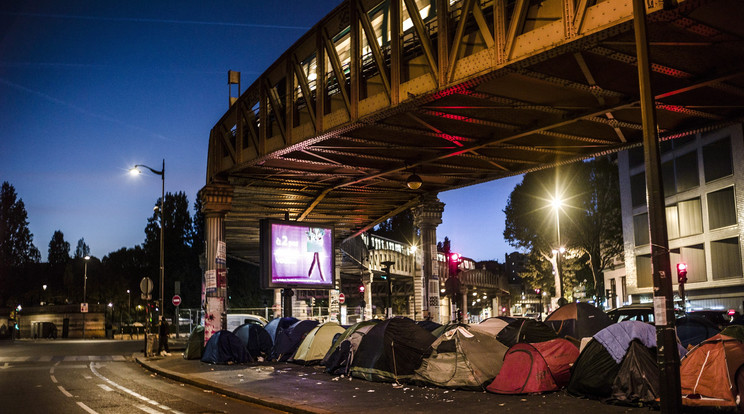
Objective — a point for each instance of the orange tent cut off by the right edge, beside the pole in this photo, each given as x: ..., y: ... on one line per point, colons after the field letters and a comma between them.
x: 711, y: 373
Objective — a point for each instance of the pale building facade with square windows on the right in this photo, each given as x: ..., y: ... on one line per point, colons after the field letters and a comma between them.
x: 703, y: 179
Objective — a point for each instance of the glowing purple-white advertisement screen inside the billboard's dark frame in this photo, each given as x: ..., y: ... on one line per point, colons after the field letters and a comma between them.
x: 301, y: 255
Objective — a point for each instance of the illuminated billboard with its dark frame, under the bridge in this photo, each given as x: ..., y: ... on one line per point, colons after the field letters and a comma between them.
x: 295, y: 254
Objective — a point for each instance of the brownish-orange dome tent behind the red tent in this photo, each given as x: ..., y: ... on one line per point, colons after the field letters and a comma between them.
x: 578, y: 320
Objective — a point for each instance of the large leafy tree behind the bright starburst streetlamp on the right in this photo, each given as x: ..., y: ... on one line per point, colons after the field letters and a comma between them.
x: 590, y: 218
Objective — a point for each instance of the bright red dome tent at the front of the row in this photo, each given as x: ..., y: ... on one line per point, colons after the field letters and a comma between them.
x: 538, y: 367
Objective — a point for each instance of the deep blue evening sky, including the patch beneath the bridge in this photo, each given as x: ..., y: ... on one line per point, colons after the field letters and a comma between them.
x: 89, y: 88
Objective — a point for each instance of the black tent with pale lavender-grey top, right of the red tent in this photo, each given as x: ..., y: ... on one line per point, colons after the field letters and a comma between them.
x: 598, y: 364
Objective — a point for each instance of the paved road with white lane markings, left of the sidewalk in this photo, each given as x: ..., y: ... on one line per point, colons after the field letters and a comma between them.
x: 96, y: 377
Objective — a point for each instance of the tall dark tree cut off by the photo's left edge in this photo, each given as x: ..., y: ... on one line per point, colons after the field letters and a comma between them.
x: 16, y: 241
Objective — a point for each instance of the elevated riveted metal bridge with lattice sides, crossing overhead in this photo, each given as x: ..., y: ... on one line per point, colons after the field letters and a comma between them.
x: 458, y: 92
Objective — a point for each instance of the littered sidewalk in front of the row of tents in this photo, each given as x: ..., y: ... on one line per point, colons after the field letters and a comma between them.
x: 302, y: 389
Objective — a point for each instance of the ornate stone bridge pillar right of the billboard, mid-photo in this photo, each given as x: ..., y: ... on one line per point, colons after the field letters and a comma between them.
x: 427, y: 216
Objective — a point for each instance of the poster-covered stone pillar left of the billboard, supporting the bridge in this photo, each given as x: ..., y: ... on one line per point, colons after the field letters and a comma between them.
x: 216, y: 201
